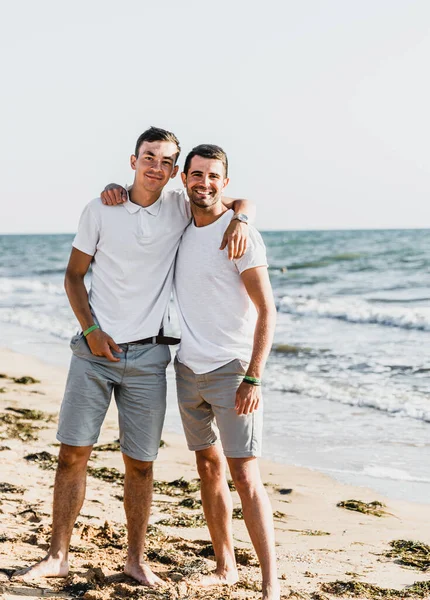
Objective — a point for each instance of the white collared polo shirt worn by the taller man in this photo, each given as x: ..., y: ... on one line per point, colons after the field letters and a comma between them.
x: 134, y: 251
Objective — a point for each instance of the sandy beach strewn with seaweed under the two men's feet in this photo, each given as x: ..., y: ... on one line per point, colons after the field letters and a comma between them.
x: 324, y: 550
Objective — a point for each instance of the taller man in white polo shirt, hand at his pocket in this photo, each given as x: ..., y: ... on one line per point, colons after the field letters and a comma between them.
x: 122, y: 349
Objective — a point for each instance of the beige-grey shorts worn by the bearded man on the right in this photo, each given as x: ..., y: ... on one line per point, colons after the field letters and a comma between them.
x: 212, y: 396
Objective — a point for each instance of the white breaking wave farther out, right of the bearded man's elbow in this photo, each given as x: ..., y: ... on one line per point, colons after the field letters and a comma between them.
x: 355, y: 310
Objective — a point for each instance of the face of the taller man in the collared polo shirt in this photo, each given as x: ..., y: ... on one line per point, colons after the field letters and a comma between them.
x: 154, y: 165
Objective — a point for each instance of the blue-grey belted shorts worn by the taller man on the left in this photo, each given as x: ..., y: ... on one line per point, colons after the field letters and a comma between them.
x: 138, y: 382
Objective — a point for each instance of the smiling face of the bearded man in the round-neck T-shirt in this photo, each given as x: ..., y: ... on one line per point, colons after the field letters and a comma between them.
x: 205, y: 181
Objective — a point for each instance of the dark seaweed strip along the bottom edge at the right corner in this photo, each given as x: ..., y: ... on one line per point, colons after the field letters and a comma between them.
x: 351, y: 589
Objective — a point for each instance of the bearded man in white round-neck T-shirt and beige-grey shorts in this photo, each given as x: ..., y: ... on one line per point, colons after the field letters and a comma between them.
x: 227, y: 316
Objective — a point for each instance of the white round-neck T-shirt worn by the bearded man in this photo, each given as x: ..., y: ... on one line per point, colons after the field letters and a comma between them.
x: 216, y: 315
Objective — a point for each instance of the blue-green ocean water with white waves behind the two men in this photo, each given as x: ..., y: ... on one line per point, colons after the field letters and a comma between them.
x: 347, y: 385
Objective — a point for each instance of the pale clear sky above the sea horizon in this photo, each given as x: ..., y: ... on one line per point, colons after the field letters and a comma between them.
x: 321, y: 105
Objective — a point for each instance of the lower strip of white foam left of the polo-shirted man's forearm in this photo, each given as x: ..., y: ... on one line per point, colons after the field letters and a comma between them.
x: 59, y: 327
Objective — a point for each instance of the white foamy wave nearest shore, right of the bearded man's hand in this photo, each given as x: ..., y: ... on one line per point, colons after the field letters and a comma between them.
x: 393, y: 401
